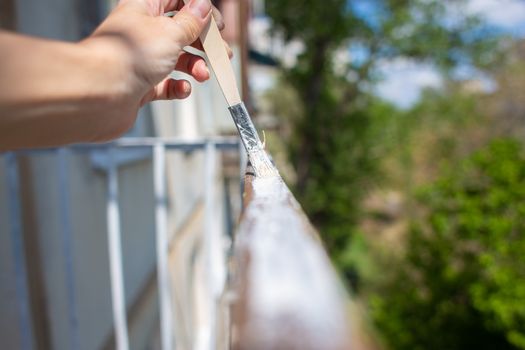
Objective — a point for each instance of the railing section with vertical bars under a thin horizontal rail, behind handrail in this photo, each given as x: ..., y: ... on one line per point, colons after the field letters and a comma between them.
x: 155, y: 148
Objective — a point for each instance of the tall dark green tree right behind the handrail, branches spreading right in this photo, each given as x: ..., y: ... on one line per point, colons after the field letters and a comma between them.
x: 334, y: 144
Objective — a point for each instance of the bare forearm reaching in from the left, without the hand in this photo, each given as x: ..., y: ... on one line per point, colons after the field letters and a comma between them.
x: 54, y: 93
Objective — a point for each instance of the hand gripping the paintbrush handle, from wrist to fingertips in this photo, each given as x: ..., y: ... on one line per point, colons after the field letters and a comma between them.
x: 152, y: 44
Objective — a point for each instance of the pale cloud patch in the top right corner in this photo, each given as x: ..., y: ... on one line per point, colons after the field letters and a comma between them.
x: 508, y: 14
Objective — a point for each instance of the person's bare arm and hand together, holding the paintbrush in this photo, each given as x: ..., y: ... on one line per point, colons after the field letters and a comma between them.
x: 55, y: 93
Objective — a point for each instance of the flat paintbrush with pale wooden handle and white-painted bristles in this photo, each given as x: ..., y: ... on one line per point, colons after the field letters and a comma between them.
x: 220, y: 63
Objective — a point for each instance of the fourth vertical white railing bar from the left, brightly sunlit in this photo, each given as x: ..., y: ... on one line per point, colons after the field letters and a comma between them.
x: 161, y: 217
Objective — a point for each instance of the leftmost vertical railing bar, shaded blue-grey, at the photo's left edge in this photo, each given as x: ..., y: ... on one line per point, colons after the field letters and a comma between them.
x: 17, y: 245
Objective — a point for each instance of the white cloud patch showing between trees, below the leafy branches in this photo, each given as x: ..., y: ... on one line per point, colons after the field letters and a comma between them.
x: 404, y: 80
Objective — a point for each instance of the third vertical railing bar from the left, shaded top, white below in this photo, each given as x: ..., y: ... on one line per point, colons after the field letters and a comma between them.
x: 115, y: 258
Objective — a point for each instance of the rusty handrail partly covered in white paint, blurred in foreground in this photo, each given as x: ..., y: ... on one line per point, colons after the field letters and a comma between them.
x: 287, y: 294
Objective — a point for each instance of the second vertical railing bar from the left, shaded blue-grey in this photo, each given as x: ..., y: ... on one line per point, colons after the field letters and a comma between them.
x: 67, y: 245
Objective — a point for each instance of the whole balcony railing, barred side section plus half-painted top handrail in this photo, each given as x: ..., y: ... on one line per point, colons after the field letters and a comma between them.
x: 282, y: 292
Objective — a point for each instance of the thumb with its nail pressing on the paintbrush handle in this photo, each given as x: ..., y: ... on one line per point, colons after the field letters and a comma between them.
x: 190, y: 21
